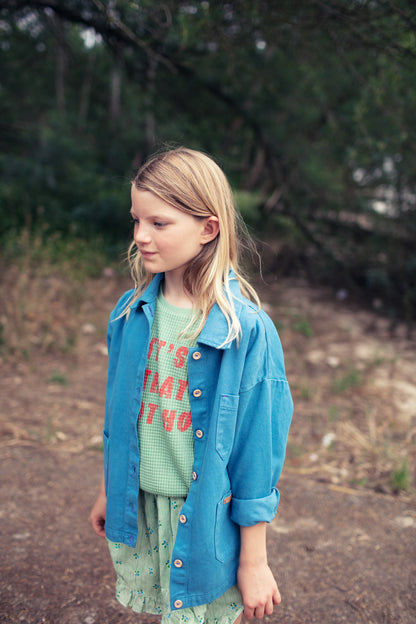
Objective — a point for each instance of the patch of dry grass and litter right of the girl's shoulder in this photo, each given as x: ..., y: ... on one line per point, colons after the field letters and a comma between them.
x: 353, y: 387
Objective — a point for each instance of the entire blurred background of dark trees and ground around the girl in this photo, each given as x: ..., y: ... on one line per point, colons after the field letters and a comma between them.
x: 309, y: 107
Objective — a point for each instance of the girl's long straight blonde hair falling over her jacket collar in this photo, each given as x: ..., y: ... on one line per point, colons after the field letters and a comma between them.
x: 193, y: 183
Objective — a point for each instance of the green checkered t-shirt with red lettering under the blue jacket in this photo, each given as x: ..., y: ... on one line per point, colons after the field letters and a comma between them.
x: 164, y: 424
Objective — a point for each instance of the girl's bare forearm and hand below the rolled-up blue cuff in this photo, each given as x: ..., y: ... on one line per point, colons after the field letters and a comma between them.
x: 255, y: 579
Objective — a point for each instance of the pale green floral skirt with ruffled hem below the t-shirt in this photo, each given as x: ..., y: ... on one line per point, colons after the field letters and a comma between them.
x: 143, y: 572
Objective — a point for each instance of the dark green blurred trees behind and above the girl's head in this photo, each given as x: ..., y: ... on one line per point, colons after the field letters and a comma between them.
x: 309, y: 108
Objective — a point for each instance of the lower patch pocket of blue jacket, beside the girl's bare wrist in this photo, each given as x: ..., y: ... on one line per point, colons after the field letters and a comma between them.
x: 226, y: 532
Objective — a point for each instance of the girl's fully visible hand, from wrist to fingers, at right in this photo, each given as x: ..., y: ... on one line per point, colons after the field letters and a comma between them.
x: 258, y: 589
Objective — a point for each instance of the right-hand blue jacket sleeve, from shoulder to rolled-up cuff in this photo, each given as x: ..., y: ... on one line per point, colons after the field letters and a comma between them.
x: 264, y: 415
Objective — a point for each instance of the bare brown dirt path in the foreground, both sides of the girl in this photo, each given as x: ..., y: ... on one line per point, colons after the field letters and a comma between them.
x: 339, y: 556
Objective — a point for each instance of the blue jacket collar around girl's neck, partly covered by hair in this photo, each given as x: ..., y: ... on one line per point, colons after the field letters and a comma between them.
x: 215, y: 330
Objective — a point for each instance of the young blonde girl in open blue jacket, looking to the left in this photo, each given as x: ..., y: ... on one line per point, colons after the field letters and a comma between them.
x: 197, y: 408
